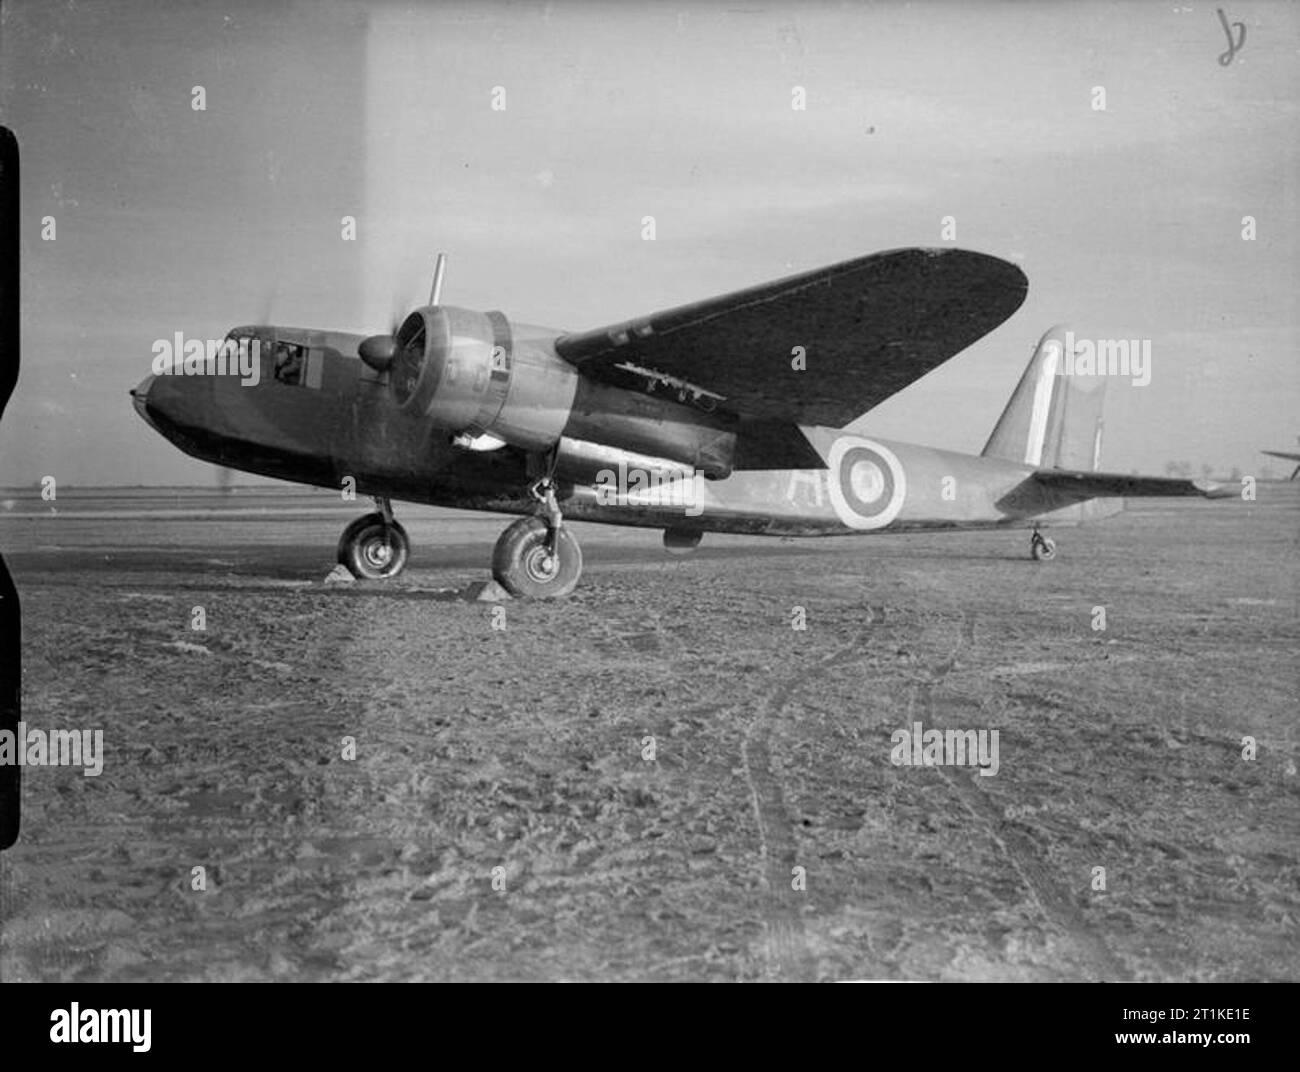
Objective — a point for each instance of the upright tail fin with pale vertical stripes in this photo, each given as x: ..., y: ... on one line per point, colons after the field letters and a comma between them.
x: 1054, y: 422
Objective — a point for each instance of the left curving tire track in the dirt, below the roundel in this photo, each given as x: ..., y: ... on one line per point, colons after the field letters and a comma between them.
x: 787, y: 953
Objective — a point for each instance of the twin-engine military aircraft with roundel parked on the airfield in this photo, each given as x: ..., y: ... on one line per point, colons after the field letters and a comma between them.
x: 723, y: 416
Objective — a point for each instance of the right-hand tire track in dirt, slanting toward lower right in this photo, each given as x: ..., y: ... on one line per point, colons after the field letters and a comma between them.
x: 1043, y: 886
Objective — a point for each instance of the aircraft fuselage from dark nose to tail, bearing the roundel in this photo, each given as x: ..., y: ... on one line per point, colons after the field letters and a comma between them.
x: 328, y: 419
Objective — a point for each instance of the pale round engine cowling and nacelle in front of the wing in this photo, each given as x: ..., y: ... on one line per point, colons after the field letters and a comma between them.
x: 466, y: 372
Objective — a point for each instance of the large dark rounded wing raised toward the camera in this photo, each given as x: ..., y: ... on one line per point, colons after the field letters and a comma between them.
x: 869, y: 328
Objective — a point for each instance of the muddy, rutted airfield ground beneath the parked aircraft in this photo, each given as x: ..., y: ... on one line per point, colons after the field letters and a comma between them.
x: 522, y: 749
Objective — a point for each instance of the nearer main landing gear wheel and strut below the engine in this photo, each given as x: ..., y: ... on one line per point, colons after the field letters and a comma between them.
x: 538, y: 557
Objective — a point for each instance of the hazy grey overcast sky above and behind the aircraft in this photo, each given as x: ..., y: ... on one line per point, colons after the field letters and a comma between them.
x: 1126, y: 222
